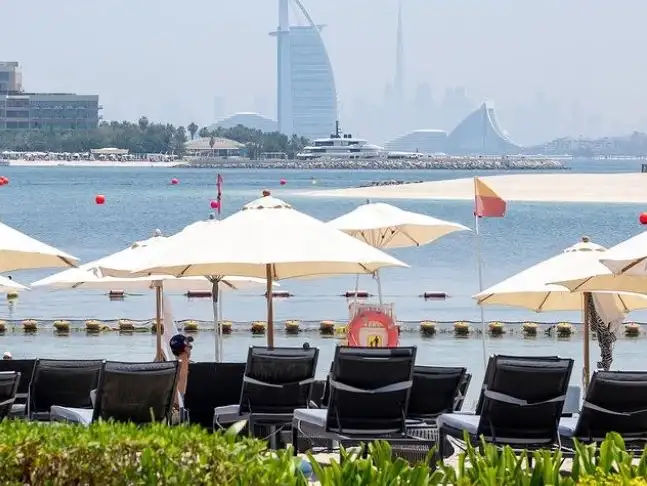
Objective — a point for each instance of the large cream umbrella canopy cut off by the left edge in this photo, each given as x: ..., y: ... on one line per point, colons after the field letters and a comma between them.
x: 21, y: 252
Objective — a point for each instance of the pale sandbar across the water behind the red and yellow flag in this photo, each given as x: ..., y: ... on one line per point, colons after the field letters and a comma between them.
x: 563, y: 187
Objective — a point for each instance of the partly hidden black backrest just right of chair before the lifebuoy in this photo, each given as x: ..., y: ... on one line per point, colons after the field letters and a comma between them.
x: 434, y: 391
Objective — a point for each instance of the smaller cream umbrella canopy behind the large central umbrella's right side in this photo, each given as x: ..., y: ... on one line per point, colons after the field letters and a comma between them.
x: 385, y: 226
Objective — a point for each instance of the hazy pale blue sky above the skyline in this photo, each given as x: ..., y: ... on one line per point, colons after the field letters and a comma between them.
x: 570, y: 66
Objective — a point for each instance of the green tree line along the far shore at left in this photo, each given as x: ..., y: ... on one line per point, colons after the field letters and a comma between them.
x: 145, y: 137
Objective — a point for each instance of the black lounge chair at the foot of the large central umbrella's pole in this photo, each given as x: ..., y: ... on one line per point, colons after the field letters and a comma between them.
x: 276, y: 382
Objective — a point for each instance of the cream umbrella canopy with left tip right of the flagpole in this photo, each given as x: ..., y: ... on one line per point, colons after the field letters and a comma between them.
x: 534, y: 288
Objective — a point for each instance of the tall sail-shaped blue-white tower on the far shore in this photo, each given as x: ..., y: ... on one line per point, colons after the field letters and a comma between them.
x: 306, y: 94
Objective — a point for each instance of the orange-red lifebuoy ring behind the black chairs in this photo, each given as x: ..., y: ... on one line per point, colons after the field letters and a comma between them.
x: 372, y: 329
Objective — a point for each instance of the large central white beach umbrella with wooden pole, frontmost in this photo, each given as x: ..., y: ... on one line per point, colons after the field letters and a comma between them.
x: 267, y: 238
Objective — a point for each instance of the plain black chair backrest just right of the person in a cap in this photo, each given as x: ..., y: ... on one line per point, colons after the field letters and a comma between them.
x: 212, y: 385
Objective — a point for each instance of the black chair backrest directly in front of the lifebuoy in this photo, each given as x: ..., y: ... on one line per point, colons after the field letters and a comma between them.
x: 369, y: 390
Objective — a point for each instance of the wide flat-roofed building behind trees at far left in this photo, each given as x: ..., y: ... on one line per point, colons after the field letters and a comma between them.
x: 42, y: 111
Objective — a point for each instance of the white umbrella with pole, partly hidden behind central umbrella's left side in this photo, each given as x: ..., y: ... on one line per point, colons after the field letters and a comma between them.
x: 90, y: 276
